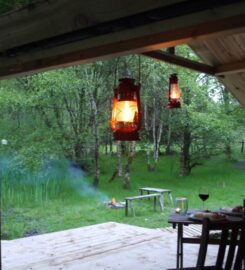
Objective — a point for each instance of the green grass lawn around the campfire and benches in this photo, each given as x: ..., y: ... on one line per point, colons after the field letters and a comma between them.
x: 45, y: 206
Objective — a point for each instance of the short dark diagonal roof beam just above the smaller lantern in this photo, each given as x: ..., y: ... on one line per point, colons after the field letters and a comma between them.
x: 181, y: 61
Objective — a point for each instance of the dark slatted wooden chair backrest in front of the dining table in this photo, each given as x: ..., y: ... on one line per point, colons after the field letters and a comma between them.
x: 232, y: 236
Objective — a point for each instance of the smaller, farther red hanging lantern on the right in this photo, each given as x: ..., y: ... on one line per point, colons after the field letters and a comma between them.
x: 173, y: 93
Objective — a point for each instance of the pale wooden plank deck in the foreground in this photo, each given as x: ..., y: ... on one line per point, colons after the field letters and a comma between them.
x: 107, y: 246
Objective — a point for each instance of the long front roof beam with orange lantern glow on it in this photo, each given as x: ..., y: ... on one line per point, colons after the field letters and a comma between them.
x: 159, y: 35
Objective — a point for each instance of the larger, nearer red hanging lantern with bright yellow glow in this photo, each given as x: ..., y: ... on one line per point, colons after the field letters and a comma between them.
x: 125, y: 120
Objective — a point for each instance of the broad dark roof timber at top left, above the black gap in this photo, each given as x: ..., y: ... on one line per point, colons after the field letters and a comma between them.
x: 52, y: 18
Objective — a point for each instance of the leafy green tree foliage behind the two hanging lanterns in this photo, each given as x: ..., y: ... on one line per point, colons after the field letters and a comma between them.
x: 49, y: 115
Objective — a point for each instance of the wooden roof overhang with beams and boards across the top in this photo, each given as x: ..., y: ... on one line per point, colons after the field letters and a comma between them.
x: 57, y: 33
